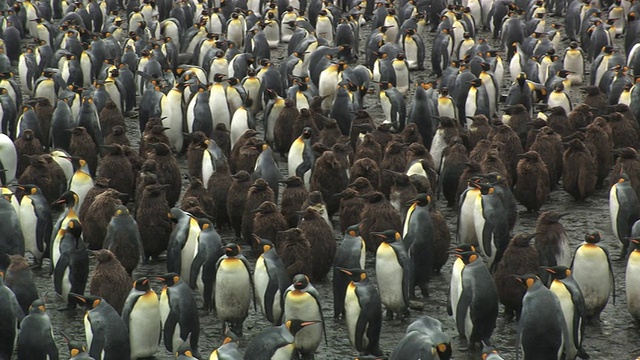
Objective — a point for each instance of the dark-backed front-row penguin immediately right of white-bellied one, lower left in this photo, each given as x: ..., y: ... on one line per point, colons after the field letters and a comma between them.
x: 178, y: 313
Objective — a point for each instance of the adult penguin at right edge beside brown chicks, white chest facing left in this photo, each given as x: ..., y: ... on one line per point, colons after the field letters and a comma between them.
x: 624, y: 209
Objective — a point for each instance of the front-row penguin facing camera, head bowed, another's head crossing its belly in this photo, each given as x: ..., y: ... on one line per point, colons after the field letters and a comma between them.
x: 302, y: 301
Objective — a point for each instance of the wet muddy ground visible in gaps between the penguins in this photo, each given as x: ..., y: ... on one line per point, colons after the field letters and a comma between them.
x: 615, y: 337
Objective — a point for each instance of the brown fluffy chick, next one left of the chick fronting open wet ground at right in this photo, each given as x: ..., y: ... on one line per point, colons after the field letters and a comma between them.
x: 533, y: 186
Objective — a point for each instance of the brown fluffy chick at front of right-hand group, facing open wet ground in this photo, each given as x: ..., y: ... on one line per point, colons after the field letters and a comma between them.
x: 579, y: 170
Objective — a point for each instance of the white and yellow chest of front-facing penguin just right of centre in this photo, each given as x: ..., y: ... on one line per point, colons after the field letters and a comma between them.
x: 390, y: 275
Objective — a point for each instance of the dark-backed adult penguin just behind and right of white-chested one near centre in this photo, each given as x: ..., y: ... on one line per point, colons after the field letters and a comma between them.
x: 419, y: 241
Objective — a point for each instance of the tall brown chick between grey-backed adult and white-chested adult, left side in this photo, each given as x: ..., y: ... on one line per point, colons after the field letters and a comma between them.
x: 153, y: 223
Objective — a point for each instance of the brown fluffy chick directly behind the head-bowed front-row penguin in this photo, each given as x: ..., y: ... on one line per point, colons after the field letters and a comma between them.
x: 295, y: 251
